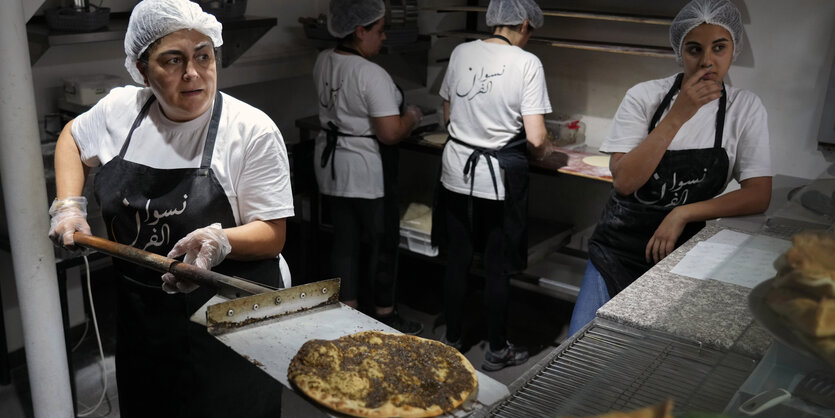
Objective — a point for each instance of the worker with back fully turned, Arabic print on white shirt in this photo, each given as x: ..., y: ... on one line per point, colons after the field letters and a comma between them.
x: 494, y: 98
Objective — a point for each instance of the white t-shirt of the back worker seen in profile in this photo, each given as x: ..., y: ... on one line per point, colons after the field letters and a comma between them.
x: 351, y: 91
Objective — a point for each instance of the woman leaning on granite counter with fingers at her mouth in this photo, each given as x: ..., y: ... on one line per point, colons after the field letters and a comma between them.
x: 675, y: 144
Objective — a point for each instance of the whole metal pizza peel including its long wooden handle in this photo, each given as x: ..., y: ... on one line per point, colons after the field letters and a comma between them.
x: 268, y: 326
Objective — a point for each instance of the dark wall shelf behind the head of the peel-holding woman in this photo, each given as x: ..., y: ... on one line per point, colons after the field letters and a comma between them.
x: 238, y: 35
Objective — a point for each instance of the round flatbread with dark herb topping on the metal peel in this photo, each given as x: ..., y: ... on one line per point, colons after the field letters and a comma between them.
x: 378, y: 374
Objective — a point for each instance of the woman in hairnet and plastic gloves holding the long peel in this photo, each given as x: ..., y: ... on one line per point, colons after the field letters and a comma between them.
x: 183, y: 170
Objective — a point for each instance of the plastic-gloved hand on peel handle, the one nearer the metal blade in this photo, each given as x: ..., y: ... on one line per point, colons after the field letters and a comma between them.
x: 204, y: 248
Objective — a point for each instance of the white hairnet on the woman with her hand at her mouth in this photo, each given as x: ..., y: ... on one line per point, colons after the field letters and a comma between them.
x: 715, y: 12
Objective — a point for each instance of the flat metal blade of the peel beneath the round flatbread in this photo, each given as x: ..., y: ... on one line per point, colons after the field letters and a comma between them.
x: 268, y: 329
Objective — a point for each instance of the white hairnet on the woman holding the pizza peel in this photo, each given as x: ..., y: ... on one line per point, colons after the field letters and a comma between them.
x: 153, y: 19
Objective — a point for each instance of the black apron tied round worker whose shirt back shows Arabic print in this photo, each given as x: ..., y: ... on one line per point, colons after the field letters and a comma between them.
x: 513, y: 159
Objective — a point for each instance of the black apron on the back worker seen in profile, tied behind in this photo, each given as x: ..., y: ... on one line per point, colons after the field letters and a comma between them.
x: 390, y: 160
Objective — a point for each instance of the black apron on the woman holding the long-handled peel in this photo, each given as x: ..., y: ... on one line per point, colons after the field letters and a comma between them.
x: 166, y: 365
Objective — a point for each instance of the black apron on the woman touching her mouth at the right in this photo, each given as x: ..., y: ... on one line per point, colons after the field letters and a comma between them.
x: 617, y: 246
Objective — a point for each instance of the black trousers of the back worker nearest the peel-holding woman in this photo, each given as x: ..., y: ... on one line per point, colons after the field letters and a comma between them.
x: 355, y: 220
